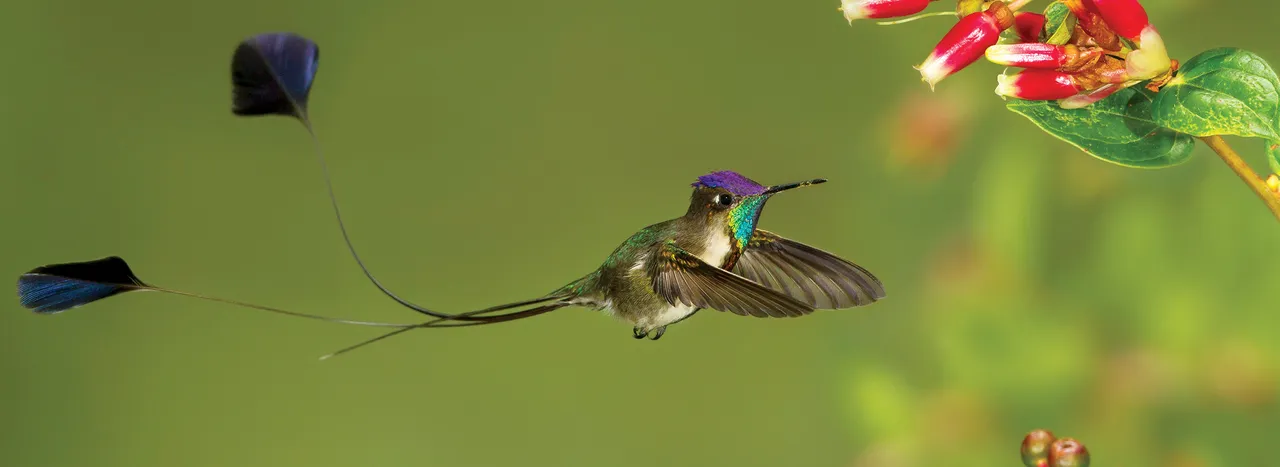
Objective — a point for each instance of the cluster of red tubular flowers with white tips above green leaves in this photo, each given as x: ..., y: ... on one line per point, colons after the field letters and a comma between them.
x: 1110, y: 47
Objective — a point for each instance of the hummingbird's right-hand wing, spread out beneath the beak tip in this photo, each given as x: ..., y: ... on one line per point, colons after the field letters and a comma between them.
x: 807, y: 274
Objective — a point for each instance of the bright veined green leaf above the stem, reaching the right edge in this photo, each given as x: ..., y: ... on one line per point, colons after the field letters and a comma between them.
x: 1222, y: 91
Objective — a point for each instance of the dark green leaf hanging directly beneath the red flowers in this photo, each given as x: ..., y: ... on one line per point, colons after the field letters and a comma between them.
x: 1118, y: 130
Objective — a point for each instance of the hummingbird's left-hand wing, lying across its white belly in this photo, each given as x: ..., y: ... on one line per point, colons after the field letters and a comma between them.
x: 682, y: 278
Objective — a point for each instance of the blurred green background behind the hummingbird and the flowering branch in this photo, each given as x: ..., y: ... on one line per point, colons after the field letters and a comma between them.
x: 492, y: 152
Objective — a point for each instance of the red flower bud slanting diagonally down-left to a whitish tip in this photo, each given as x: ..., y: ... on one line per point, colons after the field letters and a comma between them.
x: 966, y: 43
